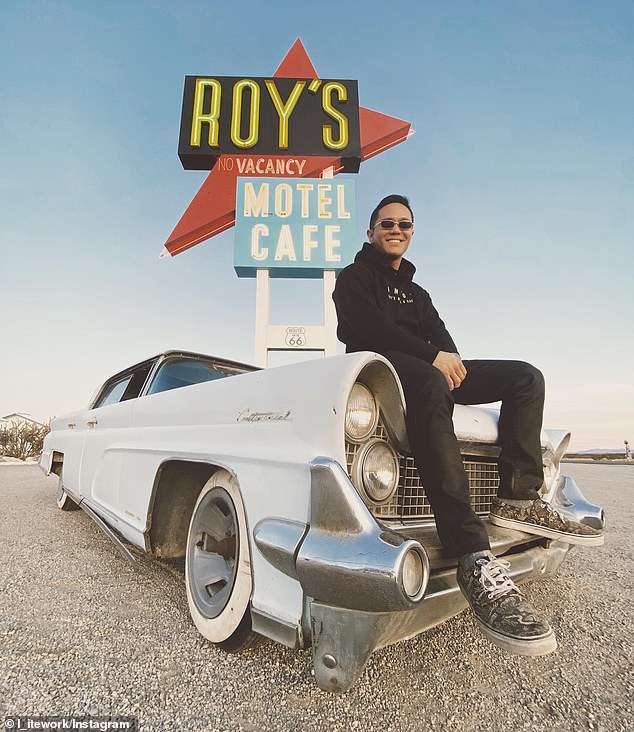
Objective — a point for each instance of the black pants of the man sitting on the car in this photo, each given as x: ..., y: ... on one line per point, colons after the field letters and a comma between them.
x: 433, y: 442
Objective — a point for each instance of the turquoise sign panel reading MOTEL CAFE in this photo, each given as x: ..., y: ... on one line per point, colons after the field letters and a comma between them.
x: 294, y: 227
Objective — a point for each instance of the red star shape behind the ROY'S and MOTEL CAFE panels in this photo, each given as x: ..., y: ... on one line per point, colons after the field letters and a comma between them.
x: 212, y: 209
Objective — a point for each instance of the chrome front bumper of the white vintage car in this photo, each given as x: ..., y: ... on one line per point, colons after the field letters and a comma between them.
x: 350, y: 570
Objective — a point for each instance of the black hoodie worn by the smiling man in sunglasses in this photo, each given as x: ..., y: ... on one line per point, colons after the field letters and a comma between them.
x: 381, y: 309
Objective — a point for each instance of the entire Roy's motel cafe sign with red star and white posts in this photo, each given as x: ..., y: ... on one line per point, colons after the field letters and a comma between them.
x: 272, y: 146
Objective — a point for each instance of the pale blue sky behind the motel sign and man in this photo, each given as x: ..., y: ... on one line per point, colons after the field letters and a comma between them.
x: 521, y: 175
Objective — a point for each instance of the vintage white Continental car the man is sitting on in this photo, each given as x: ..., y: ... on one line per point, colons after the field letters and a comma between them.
x: 291, y: 496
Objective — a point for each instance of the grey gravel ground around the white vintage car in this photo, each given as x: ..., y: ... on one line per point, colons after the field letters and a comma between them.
x: 82, y: 632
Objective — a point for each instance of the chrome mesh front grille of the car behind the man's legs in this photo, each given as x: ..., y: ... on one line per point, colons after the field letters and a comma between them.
x: 410, y: 501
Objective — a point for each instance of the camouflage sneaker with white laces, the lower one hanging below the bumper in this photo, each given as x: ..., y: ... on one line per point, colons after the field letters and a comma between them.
x: 506, y: 618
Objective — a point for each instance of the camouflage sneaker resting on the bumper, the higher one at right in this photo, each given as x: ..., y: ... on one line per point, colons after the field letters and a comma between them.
x: 542, y: 519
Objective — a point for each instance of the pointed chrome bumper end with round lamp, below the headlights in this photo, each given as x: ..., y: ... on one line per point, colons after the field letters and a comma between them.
x: 346, y: 559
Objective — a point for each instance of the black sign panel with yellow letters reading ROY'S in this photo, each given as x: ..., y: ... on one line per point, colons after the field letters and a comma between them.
x: 228, y: 115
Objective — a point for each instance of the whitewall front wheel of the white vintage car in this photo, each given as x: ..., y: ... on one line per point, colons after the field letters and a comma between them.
x: 218, y: 565
